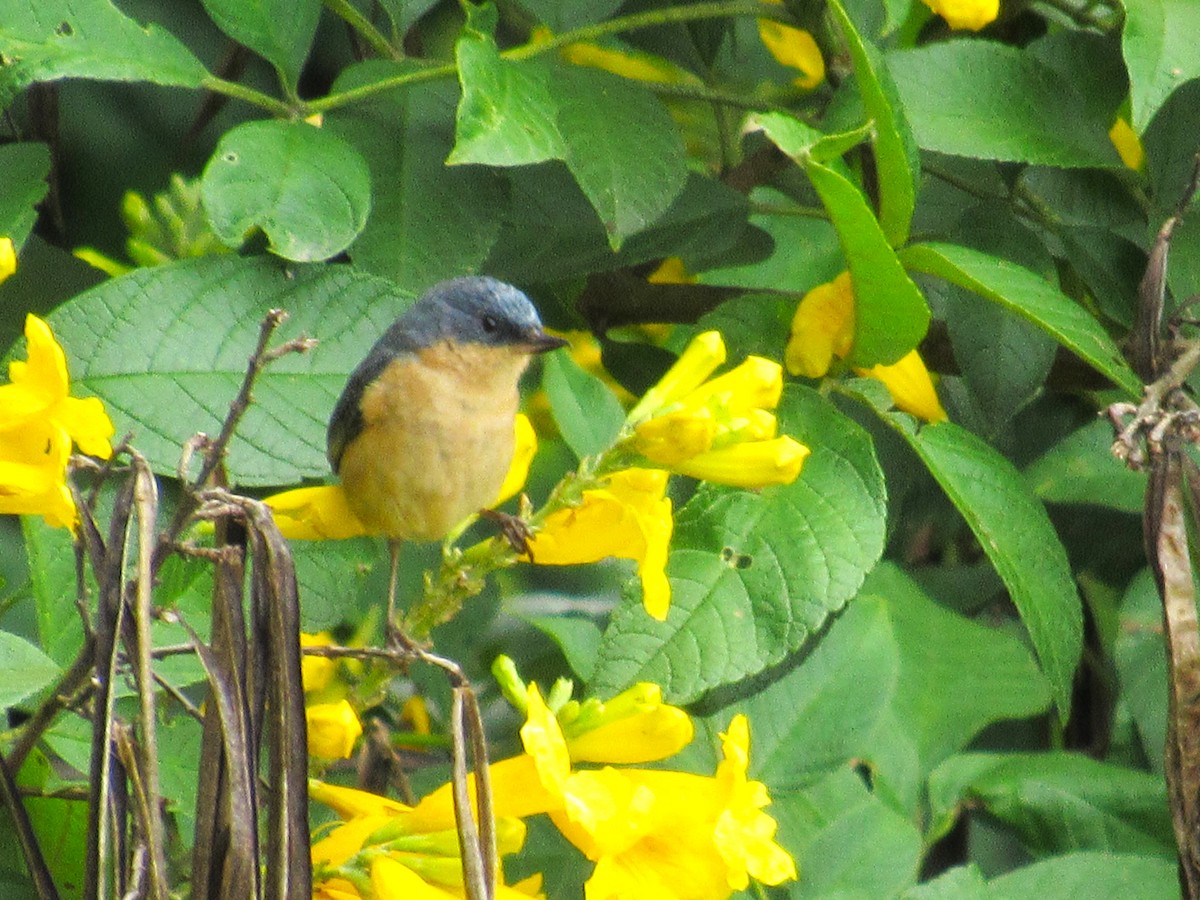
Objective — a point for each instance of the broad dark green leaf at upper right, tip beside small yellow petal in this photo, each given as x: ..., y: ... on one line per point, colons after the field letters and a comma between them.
x: 998, y: 103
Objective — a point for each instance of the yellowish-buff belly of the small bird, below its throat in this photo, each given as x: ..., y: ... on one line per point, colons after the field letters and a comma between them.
x: 412, y: 476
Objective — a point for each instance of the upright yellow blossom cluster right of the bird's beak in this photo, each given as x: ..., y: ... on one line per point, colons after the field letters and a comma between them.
x: 718, y: 430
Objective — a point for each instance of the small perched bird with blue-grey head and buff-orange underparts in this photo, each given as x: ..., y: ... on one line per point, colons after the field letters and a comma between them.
x: 423, y: 434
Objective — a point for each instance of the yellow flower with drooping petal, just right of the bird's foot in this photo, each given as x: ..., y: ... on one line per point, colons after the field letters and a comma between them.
x: 629, y: 518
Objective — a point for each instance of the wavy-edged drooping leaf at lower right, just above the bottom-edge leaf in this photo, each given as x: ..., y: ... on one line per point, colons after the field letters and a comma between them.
x: 1058, y: 802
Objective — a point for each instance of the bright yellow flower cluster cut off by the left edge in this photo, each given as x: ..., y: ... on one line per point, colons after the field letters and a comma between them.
x: 39, y: 423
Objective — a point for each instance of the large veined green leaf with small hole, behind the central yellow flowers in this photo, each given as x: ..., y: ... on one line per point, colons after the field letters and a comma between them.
x: 755, y: 574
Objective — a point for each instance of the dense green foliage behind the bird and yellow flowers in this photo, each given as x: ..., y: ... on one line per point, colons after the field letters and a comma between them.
x: 946, y: 638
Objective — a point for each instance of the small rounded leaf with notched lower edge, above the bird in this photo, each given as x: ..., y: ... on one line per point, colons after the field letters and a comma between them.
x: 305, y: 188
